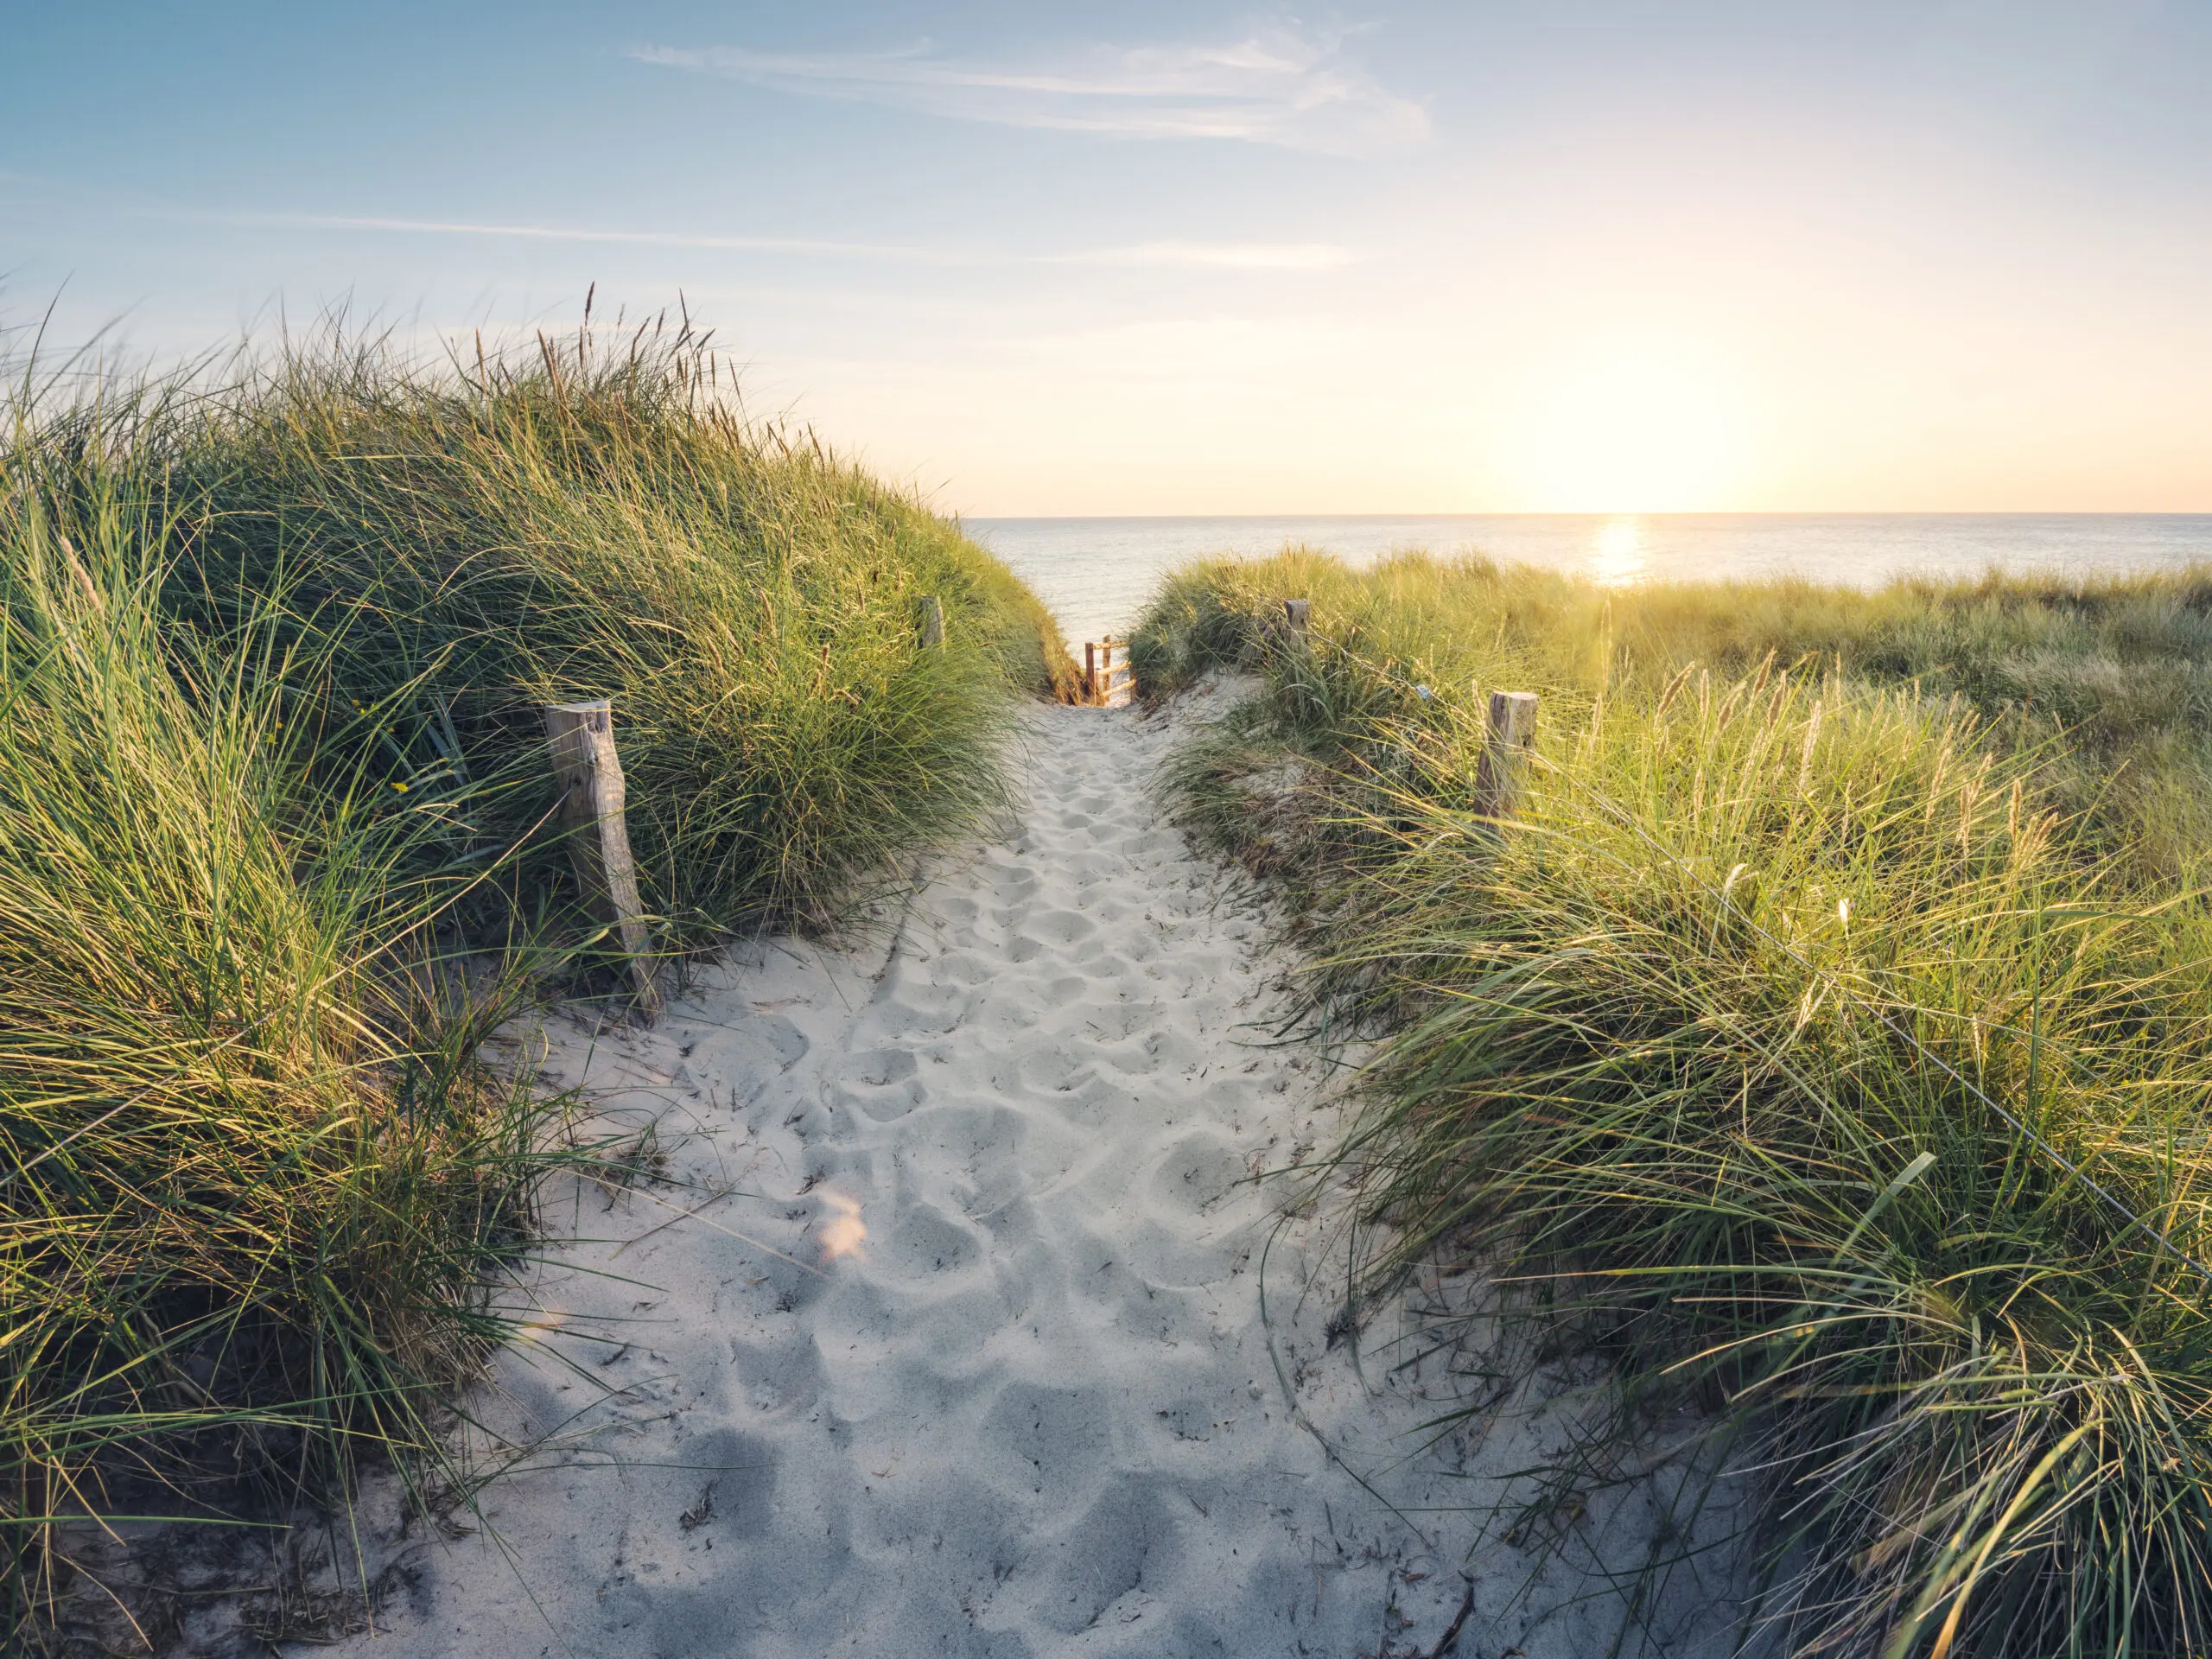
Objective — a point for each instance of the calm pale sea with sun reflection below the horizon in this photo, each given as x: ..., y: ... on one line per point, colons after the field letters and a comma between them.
x: 1098, y: 572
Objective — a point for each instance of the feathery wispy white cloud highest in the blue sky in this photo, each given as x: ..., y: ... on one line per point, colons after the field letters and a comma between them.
x: 1280, y: 85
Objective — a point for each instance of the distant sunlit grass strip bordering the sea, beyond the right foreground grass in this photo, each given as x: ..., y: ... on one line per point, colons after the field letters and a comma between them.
x: 2109, y: 678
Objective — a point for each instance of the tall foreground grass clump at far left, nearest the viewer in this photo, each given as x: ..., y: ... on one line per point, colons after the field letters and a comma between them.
x: 255, y: 1191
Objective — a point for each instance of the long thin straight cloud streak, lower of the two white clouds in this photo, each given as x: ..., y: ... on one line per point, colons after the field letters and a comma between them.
x: 1149, y: 255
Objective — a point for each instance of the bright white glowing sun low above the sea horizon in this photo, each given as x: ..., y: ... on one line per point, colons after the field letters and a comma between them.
x: 1636, y: 430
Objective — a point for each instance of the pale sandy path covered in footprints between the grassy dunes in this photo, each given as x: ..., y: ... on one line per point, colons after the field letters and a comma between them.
x: 1032, y: 1410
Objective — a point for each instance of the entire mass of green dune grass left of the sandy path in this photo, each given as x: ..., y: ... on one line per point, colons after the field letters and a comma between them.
x: 275, y: 862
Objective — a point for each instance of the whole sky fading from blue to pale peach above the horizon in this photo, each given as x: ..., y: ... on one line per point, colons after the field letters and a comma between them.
x: 1034, y: 260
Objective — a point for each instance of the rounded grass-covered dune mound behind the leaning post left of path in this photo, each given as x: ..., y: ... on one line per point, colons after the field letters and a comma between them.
x: 598, y: 523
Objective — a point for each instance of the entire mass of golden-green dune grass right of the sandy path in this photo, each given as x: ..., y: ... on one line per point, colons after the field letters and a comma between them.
x: 1826, y: 1041
